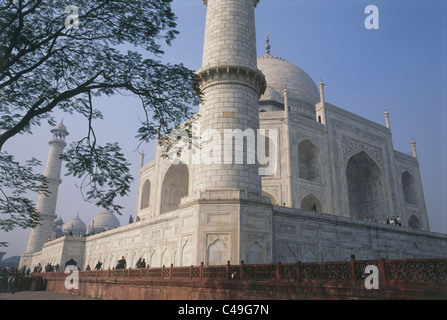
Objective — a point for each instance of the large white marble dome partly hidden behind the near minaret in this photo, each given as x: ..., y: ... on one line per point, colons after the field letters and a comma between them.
x: 281, y: 74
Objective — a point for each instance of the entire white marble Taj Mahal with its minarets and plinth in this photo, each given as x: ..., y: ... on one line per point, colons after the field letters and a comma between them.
x: 325, y: 187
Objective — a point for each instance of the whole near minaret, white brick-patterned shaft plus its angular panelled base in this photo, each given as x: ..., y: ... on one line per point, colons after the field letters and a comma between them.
x: 227, y: 176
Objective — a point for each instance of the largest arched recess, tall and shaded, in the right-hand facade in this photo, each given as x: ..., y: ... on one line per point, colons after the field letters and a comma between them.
x: 365, y: 188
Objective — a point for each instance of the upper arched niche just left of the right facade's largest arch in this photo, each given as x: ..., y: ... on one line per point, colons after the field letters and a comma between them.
x: 308, y: 161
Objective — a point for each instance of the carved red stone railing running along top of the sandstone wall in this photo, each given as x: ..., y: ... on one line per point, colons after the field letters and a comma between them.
x: 424, y: 271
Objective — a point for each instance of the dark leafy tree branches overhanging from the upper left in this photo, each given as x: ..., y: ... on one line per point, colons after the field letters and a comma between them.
x: 44, y: 65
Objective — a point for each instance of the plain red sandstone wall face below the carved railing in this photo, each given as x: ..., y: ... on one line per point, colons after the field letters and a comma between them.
x: 122, y: 289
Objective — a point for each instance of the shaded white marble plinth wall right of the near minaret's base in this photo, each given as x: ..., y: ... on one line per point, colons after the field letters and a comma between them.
x: 312, y: 237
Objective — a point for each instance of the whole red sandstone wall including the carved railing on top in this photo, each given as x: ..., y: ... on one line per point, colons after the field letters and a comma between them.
x: 397, y: 279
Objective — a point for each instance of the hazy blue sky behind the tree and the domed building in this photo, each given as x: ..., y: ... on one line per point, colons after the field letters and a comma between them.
x: 401, y: 67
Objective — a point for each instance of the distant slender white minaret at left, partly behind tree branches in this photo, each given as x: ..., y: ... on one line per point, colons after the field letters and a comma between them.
x: 46, y: 203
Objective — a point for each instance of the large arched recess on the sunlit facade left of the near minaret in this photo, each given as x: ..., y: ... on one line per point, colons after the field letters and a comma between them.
x: 175, y: 187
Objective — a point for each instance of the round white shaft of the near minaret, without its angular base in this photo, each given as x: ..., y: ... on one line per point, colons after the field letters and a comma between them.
x: 231, y: 85
